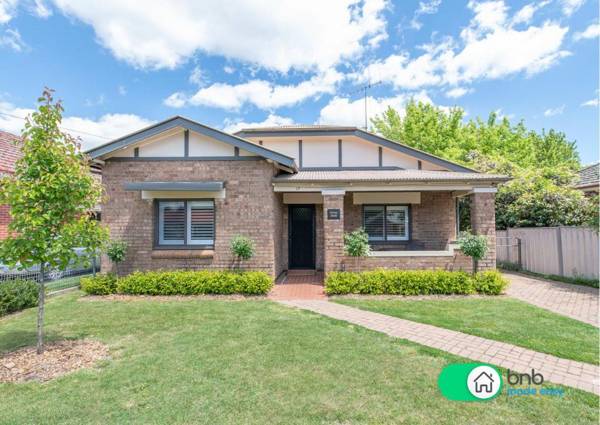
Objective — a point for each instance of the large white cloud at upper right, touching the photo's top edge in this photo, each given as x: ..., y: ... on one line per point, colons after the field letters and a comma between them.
x: 489, y: 48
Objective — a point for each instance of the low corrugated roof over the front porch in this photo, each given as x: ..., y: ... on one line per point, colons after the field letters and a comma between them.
x: 324, y: 176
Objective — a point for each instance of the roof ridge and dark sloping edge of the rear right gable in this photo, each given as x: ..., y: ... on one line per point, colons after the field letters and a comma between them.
x: 332, y: 130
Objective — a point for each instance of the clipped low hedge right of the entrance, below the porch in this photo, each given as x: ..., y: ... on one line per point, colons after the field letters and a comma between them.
x: 414, y: 282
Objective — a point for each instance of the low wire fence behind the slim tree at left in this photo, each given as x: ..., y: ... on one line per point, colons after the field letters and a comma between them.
x: 55, y: 280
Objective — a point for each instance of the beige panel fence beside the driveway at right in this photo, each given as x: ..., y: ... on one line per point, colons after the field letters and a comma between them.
x: 562, y: 251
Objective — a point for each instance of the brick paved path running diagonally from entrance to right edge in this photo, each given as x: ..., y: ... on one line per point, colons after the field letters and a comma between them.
x: 556, y: 370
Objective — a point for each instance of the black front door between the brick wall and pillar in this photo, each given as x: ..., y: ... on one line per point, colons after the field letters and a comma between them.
x: 302, y: 236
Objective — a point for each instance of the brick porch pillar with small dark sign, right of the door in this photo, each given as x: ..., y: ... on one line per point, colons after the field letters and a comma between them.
x: 333, y: 230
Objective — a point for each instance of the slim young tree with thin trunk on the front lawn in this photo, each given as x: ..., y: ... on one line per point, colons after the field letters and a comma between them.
x: 50, y: 196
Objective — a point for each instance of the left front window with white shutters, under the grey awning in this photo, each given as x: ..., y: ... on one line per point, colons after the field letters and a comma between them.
x: 186, y: 223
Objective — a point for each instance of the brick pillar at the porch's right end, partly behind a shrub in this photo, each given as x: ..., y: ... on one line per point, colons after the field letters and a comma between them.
x: 483, y: 222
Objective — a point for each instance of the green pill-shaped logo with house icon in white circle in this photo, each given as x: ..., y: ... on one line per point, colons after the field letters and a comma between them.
x: 470, y: 382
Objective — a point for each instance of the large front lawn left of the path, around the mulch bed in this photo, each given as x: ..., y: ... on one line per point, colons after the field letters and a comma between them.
x: 251, y: 362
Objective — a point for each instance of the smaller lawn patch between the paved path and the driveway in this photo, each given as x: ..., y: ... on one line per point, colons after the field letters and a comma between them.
x: 501, y: 319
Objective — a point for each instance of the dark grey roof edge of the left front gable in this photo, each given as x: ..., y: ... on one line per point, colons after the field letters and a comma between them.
x: 188, y: 124
